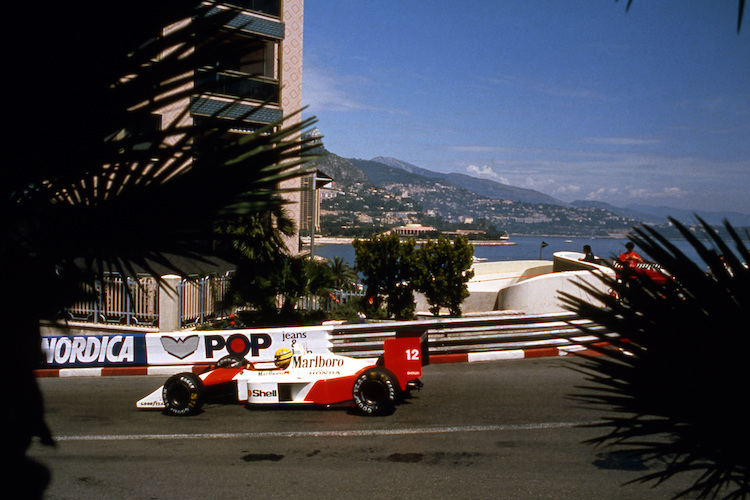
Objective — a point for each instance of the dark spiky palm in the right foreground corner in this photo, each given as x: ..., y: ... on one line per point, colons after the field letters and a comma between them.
x: 674, y: 382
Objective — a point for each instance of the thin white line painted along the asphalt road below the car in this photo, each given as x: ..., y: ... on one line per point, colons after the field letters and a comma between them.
x: 350, y: 433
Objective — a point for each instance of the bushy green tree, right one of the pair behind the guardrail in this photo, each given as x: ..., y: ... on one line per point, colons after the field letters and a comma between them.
x: 443, y: 271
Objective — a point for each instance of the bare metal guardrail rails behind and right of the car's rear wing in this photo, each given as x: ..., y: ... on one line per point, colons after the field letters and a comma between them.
x: 472, y: 334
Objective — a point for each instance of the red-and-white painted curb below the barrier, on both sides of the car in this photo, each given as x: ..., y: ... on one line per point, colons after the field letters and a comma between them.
x: 470, y: 357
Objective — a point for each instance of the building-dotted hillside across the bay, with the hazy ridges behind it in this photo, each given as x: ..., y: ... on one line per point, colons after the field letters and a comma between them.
x: 374, y: 195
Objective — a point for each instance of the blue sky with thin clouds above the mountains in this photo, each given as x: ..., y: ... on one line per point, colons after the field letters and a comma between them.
x: 578, y: 99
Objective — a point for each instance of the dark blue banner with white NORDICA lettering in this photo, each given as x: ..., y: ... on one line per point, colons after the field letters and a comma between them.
x: 93, y: 350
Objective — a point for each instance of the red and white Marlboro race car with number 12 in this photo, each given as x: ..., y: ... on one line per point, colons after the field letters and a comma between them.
x: 300, y: 378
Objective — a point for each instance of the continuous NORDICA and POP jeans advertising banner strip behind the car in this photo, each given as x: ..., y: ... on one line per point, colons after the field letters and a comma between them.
x: 178, y: 348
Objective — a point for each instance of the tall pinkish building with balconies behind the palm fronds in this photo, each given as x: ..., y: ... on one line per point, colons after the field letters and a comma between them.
x: 268, y: 77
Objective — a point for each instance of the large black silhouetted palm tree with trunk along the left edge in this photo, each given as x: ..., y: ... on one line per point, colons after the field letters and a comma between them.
x: 89, y: 188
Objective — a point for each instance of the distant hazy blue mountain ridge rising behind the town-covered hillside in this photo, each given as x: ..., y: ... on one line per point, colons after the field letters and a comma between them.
x: 484, y: 187
